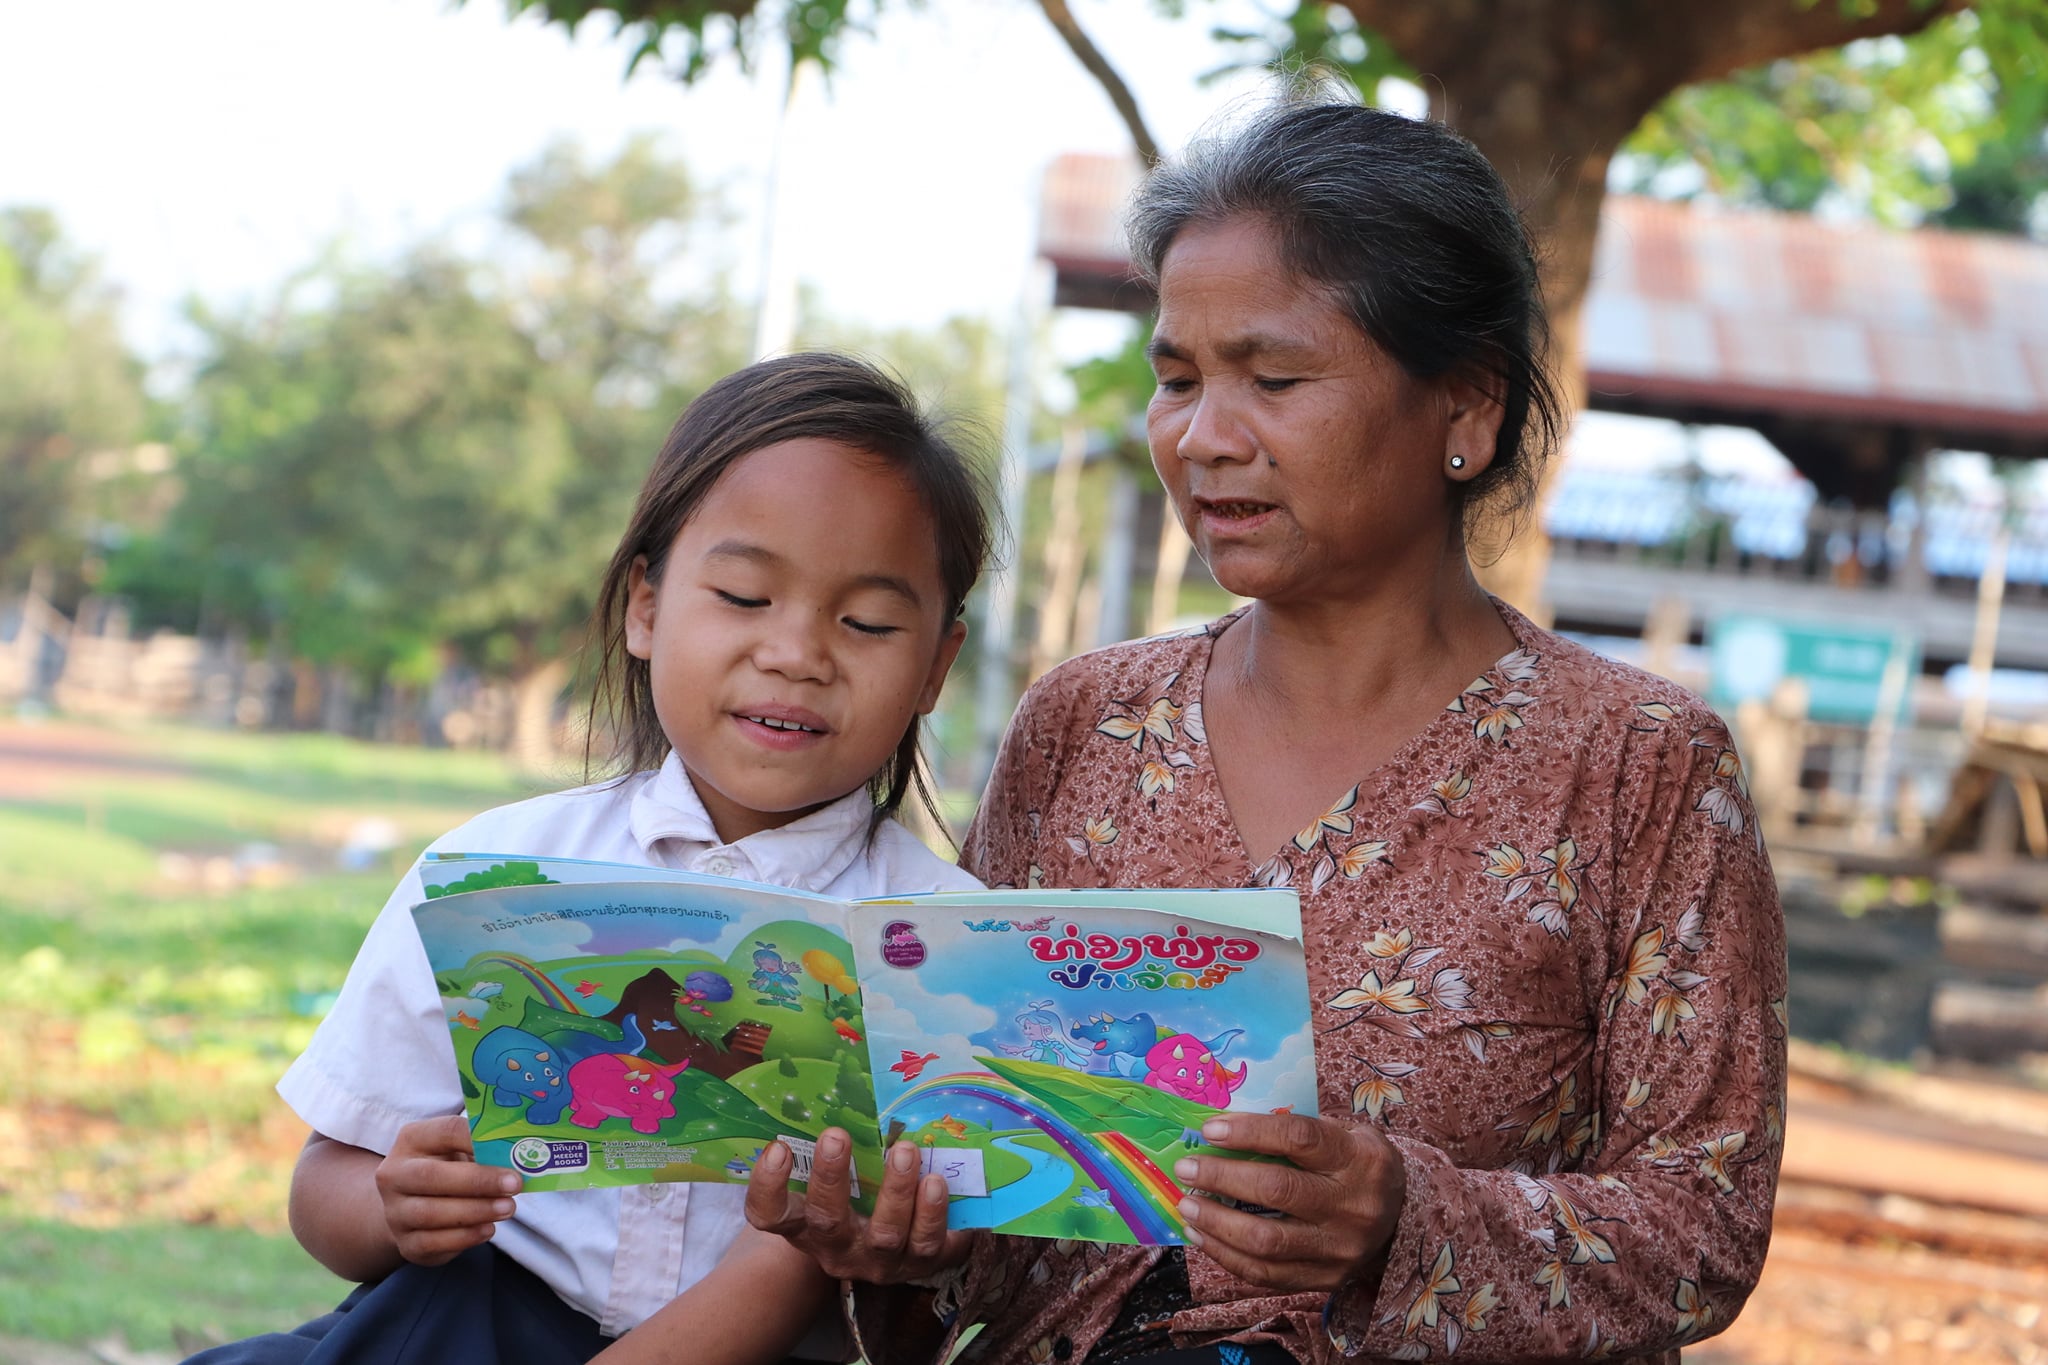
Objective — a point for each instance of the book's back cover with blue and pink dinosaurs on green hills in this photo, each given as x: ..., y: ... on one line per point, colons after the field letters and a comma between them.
x: 617, y: 1032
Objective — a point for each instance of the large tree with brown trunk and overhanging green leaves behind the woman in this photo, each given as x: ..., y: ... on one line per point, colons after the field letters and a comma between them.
x: 1779, y: 101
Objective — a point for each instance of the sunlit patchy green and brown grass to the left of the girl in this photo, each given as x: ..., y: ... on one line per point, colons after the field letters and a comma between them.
x: 173, y: 920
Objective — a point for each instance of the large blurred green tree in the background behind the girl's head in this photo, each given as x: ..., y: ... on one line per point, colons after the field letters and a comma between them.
x: 396, y: 464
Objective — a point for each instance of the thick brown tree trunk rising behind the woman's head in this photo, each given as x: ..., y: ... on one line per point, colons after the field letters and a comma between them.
x: 1551, y: 89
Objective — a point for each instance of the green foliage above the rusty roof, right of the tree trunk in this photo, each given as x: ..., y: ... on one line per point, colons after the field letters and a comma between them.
x: 1945, y: 126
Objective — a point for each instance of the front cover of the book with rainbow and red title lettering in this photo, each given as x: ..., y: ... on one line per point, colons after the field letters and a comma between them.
x: 1054, y: 1059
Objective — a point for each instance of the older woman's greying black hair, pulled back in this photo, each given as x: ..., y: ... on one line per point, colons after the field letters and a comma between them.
x: 1412, y: 230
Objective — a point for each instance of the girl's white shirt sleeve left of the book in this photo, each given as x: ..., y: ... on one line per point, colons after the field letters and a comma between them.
x: 382, y: 1057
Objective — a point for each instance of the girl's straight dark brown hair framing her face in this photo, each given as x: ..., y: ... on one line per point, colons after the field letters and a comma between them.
x: 792, y: 398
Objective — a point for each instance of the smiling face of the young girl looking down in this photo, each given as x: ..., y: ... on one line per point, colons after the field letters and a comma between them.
x: 798, y: 631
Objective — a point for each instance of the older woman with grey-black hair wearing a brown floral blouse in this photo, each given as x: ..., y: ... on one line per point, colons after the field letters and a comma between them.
x: 1545, y: 946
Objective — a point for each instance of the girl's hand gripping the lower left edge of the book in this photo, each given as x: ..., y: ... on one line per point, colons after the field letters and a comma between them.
x: 437, y: 1200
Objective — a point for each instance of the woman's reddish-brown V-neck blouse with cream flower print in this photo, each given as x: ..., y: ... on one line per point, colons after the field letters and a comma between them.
x: 1547, y: 961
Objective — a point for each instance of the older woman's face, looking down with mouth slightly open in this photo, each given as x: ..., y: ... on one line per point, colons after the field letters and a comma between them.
x: 1302, y: 459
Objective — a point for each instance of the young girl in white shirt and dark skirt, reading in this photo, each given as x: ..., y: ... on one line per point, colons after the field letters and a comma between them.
x: 773, y: 629
